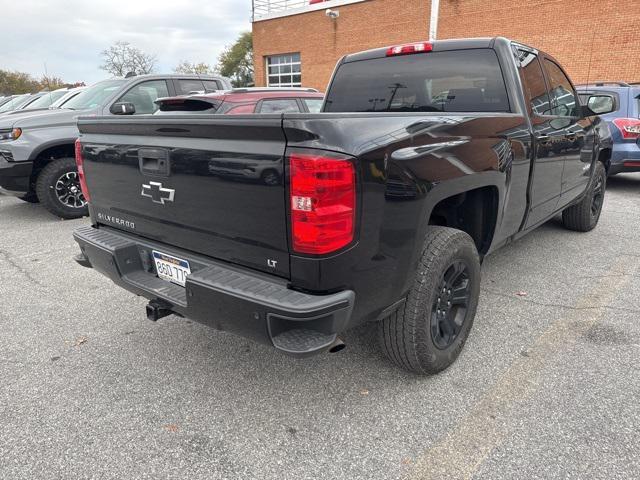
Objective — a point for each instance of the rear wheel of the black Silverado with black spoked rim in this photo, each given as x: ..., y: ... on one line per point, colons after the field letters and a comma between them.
x: 428, y: 332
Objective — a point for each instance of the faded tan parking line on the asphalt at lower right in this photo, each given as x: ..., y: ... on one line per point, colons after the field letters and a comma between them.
x: 463, y: 450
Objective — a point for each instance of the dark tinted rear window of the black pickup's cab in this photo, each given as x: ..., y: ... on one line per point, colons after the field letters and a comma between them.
x: 449, y: 81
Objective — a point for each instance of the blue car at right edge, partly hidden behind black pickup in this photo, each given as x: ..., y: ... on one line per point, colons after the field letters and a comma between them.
x: 624, y: 120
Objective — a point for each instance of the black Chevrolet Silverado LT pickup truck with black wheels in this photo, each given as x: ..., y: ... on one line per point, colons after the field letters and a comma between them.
x: 426, y: 158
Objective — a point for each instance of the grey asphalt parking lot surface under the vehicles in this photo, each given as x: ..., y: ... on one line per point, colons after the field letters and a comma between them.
x: 547, y: 387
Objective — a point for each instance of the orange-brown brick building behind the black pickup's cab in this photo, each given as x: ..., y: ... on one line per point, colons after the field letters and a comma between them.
x: 297, y: 43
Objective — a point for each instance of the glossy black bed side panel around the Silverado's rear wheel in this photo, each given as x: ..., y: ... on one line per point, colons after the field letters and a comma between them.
x: 407, y: 164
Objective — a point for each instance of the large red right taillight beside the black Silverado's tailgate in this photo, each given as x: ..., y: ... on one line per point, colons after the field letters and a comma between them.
x: 323, y: 202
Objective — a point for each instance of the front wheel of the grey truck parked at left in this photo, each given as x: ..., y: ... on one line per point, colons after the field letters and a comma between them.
x: 58, y: 189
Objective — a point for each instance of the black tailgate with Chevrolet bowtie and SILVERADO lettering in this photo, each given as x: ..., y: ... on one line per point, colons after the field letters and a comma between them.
x: 212, y: 185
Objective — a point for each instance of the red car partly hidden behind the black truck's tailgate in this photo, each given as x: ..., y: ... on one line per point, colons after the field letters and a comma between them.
x: 245, y: 100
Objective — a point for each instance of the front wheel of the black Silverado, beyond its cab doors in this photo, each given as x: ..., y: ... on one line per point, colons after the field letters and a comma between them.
x: 584, y: 216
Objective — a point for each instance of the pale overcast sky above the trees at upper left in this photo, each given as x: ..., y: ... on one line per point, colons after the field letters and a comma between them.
x: 70, y: 34
